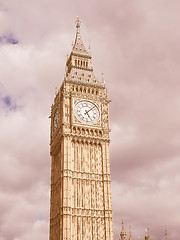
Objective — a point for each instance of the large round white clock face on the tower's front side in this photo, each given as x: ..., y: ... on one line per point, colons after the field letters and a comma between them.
x: 86, y: 112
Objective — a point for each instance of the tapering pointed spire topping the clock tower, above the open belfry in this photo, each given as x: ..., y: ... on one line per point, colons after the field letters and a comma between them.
x: 78, y: 46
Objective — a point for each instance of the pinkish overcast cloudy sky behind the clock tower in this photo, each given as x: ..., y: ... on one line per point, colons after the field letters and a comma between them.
x: 136, y: 44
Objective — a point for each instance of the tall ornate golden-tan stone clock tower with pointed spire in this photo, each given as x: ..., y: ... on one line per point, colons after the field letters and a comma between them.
x: 81, y: 207
